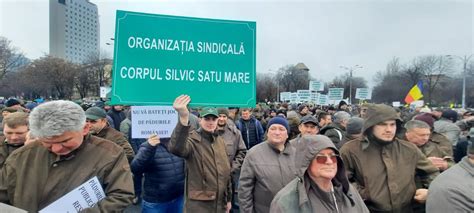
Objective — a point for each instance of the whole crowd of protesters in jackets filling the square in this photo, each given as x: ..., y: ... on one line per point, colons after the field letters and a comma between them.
x: 277, y: 157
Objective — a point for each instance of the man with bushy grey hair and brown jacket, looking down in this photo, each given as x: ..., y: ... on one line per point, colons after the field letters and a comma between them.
x: 63, y: 157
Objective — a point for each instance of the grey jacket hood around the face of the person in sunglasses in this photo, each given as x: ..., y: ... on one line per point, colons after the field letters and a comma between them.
x: 308, y: 147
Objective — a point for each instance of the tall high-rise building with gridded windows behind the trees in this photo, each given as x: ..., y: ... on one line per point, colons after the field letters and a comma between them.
x: 74, y: 30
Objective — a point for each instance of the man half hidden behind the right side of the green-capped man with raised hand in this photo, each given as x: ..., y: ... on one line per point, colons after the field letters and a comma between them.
x: 235, y: 148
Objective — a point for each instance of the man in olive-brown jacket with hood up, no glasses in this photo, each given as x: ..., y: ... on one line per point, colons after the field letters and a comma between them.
x: 383, y: 167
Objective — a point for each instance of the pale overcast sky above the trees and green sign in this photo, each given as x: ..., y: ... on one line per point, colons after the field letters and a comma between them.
x: 322, y: 34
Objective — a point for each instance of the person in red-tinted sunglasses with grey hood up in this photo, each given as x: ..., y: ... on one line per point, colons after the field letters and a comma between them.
x: 321, y: 184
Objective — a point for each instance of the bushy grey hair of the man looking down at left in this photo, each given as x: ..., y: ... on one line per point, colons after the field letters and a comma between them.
x: 56, y: 117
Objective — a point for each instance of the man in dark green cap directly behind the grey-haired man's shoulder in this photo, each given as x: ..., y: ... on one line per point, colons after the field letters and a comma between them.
x: 97, y: 120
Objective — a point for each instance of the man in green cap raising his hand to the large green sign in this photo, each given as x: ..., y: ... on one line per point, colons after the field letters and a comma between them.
x: 208, y: 187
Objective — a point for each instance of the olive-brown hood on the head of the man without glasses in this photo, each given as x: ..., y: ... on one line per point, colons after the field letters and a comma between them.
x: 377, y: 113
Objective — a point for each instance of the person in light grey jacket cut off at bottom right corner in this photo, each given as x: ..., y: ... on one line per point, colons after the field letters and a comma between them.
x: 453, y: 190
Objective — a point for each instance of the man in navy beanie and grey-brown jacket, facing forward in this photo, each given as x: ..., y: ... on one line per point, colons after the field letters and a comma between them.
x: 267, y: 168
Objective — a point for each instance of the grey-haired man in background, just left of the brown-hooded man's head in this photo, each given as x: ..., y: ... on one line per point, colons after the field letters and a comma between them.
x: 336, y: 130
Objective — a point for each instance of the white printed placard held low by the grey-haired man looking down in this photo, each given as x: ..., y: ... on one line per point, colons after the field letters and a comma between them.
x: 80, y: 198
